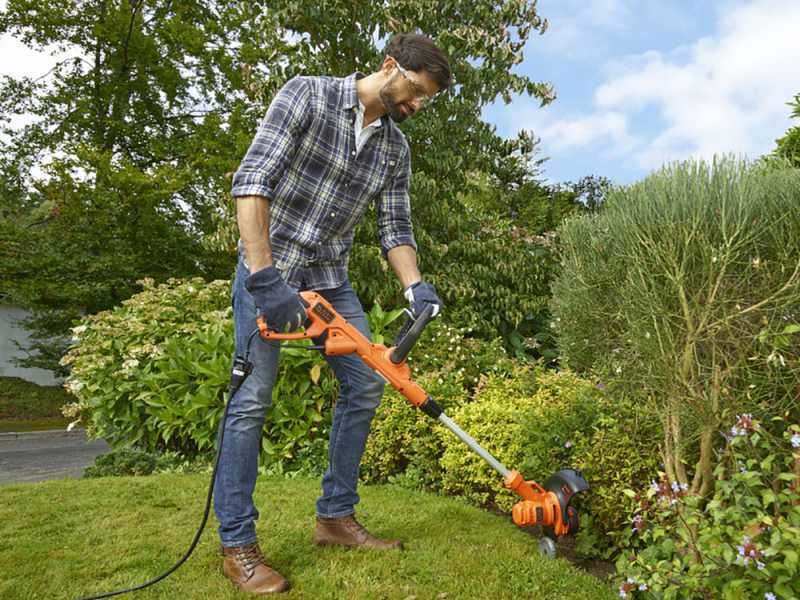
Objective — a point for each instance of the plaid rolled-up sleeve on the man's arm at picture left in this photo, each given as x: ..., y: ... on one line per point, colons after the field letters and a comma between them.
x: 276, y: 141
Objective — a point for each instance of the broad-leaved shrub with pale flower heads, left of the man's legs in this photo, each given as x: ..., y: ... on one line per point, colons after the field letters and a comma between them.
x: 133, y: 367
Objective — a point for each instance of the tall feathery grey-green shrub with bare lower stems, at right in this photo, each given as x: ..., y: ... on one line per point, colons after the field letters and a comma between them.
x: 682, y: 286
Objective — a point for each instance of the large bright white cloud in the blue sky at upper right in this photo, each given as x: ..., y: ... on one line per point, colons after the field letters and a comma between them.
x: 725, y: 93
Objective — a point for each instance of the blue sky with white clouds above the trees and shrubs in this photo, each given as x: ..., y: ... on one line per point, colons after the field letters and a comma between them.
x: 638, y: 82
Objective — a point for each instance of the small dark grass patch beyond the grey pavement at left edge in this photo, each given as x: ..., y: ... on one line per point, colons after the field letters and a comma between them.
x: 25, y: 406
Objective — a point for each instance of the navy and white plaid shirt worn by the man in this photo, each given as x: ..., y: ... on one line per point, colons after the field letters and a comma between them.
x: 303, y: 158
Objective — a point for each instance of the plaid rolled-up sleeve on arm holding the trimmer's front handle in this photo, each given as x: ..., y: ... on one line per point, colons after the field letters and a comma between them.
x: 394, y: 209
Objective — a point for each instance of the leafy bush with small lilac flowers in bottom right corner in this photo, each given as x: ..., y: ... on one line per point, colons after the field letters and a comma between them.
x: 742, y: 543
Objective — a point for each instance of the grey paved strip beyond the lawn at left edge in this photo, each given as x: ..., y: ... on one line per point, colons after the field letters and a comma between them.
x: 41, y: 455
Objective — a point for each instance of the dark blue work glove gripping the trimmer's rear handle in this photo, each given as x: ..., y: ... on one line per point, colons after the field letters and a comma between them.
x: 279, y: 304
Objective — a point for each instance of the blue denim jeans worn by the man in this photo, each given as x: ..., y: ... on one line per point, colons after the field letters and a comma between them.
x: 360, y: 391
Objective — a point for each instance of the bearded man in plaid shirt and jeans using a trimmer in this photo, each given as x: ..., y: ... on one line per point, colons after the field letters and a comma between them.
x: 325, y: 150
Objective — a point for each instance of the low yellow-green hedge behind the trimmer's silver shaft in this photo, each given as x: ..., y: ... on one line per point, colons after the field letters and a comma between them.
x: 536, y: 421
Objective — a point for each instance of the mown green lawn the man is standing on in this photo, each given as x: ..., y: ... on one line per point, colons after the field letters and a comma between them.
x: 64, y: 539
